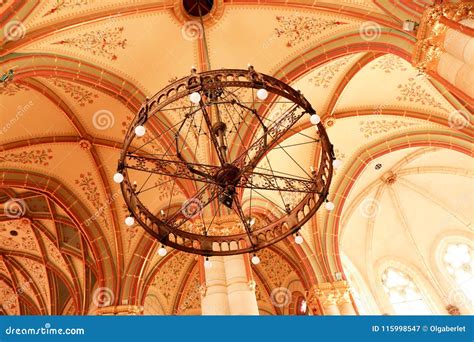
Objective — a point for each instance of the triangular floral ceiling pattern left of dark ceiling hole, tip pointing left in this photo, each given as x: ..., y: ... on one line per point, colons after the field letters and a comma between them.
x: 101, y: 43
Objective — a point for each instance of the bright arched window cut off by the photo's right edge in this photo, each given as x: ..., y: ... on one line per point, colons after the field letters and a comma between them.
x: 460, y: 265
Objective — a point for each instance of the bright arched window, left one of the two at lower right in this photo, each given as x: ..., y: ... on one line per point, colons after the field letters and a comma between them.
x: 404, y: 295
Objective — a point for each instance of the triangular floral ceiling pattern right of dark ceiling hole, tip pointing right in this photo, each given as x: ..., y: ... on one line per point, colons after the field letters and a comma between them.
x: 297, y: 29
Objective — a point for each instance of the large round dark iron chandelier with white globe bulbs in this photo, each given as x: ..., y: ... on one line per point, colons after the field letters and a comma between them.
x: 217, y: 163
